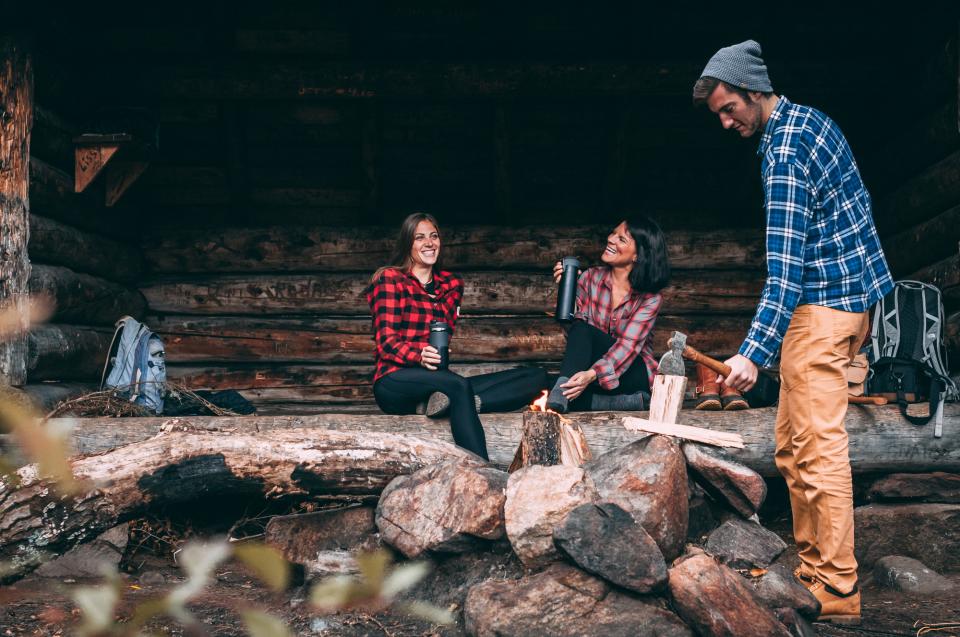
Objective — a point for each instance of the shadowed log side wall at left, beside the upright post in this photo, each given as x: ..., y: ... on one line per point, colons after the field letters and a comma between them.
x: 88, y: 275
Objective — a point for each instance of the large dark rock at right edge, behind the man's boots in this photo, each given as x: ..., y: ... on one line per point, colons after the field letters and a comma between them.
x: 928, y: 532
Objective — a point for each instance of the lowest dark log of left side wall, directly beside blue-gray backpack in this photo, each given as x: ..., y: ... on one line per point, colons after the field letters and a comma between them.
x: 67, y: 352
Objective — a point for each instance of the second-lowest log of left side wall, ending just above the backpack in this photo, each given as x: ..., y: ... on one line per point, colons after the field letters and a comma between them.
x: 85, y: 299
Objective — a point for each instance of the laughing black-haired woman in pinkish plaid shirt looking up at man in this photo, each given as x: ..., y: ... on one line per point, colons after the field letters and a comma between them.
x: 609, y: 362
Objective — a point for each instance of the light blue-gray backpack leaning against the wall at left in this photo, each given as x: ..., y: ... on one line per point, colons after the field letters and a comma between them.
x: 136, y: 365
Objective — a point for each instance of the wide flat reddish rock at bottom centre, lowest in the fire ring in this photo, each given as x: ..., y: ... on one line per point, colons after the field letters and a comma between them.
x: 563, y: 600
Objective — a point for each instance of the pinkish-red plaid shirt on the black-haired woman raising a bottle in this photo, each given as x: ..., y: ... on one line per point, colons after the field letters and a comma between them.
x: 631, y: 324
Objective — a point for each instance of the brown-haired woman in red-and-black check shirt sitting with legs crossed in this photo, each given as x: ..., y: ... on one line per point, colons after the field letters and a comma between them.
x: 404, y: 297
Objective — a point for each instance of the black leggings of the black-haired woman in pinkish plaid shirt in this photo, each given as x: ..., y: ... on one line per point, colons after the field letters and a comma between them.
x: 587, y: 344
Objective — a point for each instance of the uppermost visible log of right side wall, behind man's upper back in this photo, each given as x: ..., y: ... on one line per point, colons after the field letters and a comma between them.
x: 932, y: 191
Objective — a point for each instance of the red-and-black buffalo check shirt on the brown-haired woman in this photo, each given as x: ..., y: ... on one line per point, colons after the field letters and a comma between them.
x: 402, y: 311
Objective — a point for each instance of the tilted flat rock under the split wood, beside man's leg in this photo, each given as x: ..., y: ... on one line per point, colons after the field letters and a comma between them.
x: 725, y: 479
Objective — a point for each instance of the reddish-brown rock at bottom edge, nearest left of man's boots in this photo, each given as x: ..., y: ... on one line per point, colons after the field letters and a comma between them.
x: 714, y: 600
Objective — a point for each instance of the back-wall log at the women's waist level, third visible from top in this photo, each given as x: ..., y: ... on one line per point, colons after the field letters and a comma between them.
x: 346, y: 340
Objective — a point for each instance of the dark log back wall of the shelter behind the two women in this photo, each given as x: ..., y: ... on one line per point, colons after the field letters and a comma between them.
x: 293, y: 141
